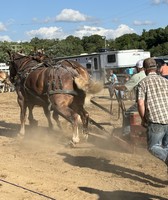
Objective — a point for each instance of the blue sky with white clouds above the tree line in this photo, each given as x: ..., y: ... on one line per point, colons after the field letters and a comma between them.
x: 22, y: 20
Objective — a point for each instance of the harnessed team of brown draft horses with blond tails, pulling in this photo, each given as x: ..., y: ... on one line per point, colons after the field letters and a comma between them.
x: 61, y: 88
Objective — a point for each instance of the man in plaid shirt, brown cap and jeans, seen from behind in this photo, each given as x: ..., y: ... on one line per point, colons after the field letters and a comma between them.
x: 152, y: 98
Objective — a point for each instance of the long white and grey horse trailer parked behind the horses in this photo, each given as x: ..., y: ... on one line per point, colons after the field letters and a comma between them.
x: 99, y: 63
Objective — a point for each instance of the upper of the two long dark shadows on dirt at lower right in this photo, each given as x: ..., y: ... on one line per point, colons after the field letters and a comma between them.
x: 102, y: 164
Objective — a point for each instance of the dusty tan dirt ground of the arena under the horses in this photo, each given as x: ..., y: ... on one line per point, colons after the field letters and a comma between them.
x: 42, y: 166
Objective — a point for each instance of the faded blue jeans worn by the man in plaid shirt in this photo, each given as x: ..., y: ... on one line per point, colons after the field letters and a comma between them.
x: 157, y: 140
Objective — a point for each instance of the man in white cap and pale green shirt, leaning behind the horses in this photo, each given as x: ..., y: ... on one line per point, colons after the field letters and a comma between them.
x: 130, y: 85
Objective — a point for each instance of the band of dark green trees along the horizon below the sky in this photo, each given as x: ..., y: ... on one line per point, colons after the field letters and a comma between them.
x: 154, y: 40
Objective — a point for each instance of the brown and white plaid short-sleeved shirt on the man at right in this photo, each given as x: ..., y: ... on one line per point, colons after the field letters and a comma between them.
x: 154, y: 90
